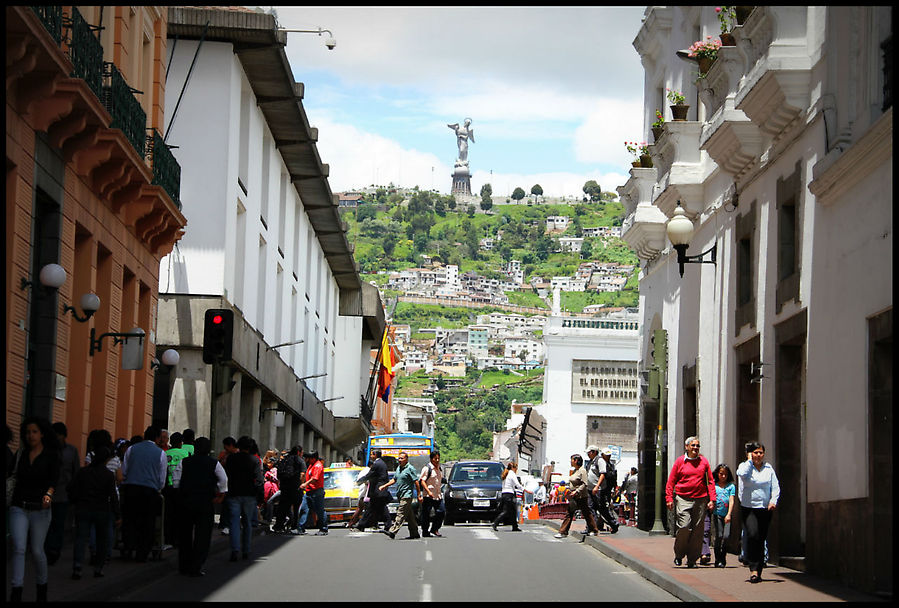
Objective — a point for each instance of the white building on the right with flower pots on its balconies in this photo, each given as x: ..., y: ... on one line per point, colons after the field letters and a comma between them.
x: 784, y: 166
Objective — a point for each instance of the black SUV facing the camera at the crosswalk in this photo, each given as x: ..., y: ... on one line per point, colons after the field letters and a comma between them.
x: 472, y: 491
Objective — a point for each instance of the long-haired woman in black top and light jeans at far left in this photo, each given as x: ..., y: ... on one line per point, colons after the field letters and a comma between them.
x: 36, y: 474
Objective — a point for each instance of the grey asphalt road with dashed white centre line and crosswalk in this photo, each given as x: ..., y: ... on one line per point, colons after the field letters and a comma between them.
x: 471, y: 563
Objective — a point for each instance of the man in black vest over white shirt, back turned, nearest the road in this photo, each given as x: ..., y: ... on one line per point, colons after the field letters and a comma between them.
x: 201, y: 483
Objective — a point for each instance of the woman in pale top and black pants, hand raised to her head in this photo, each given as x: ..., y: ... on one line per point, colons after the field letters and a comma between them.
x: 759, y: 492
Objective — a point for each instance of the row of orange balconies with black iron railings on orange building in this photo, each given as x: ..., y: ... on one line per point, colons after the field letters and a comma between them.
x: 53, y: 59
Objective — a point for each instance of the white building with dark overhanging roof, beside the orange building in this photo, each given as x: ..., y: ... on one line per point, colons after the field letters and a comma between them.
x: 267, y: 243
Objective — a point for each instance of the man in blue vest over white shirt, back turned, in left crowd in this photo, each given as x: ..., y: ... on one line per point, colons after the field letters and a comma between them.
x: 144, y: 472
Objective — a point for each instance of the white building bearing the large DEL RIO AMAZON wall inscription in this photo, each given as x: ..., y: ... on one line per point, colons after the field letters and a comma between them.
x: 591, y: 386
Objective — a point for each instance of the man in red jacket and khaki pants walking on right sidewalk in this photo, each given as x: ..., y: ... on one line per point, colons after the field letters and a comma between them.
x: 690, y: 491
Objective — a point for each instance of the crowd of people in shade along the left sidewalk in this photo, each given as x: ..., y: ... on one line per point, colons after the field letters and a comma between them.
x: 148, y: 494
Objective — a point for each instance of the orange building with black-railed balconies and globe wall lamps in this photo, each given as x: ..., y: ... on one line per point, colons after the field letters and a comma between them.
x: 91, y: 187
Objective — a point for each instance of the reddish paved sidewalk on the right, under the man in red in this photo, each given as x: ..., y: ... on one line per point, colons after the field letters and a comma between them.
x: 653, y: 558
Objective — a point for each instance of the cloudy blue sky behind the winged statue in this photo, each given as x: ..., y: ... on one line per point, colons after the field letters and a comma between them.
x: 552, y: 93
